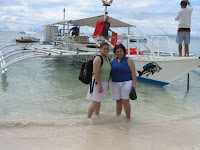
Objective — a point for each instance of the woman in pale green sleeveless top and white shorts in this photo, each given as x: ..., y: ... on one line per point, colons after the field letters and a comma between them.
x: 102, y: 77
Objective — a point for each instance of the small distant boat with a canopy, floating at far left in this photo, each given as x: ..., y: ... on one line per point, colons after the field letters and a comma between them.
x: 26, y: 38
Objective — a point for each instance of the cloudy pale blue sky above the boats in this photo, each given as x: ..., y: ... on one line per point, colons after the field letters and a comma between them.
x: 152, y: 17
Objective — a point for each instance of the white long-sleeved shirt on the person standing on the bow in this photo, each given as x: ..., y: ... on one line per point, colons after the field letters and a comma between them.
x: 184, y: 17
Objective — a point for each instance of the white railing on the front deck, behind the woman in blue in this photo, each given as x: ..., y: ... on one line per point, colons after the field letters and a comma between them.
x: 151, y: 44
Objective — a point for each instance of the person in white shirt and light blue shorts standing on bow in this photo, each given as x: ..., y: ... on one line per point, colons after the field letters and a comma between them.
x: 184, y: 23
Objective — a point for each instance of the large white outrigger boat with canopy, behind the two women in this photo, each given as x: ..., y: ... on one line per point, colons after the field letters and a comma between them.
x: 152, y: 65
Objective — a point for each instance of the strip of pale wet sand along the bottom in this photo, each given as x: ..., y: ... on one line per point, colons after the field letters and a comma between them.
x: 140, y: 135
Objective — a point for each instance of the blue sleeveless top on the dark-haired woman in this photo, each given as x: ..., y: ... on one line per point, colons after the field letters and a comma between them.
x: 120, y: 71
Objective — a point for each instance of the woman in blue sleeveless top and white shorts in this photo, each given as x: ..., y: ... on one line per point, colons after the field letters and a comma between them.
x: 123, y: 80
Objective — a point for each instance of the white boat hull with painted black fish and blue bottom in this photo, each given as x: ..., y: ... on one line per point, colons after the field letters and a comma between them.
x: 163, y: 70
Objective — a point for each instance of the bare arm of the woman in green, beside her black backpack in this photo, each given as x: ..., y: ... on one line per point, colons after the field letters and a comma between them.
x: 96, y: 68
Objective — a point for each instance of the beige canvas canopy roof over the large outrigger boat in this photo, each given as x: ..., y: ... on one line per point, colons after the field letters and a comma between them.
x: 91, y: 21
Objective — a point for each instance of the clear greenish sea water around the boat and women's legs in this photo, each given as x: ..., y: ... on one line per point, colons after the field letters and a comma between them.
x: 47, y: 92
